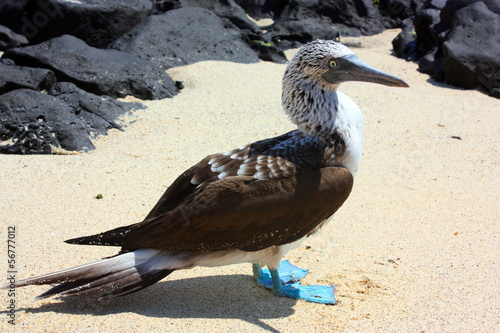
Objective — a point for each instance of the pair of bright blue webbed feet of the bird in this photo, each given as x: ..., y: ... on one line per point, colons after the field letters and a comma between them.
x: 285, y: 281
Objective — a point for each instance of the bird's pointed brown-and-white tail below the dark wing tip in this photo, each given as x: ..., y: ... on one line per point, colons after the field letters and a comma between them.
x: 113, y: 277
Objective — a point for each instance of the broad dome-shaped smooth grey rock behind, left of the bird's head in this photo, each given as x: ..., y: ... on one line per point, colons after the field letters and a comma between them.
x: 185, y: 36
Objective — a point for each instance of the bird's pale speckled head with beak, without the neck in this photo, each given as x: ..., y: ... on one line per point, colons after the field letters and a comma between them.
x: 328, y: 64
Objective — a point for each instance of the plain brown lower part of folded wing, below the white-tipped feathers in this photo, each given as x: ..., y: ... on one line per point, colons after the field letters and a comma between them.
x: 246, y: 214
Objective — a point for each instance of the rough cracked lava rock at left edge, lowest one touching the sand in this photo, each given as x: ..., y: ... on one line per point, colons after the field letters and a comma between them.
x: 35, y: 123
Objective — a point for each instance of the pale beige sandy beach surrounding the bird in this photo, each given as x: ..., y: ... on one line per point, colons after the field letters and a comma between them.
x: 415, y: 248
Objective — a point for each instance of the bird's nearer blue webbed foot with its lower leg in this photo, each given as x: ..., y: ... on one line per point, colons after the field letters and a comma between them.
x: 316, y: 293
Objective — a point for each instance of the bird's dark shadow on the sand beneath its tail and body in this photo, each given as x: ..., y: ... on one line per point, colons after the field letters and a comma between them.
x: 223, y: 296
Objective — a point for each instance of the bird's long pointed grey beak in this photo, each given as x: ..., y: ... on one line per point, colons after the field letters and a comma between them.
x: 351, y: 68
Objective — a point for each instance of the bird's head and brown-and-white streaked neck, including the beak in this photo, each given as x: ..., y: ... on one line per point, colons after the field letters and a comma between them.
x: 310, y: 82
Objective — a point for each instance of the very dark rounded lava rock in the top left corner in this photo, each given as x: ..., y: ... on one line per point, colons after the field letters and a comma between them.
x: 96, y: 22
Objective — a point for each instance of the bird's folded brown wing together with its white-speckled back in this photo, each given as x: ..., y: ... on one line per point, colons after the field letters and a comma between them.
x: 271, y: 192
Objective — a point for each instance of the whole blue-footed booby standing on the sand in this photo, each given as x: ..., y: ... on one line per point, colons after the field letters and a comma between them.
x: 252, y: 204
